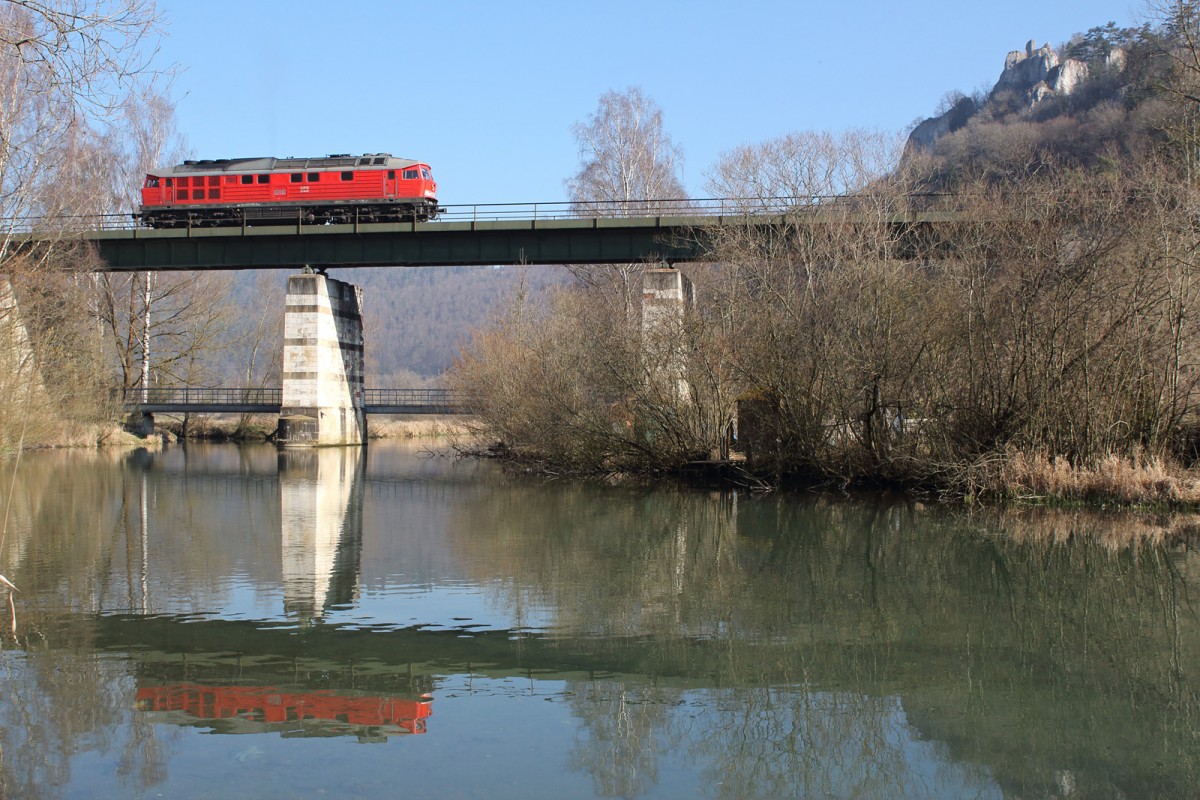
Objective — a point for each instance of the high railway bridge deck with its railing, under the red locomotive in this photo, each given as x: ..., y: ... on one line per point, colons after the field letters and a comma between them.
x: 493, y: 234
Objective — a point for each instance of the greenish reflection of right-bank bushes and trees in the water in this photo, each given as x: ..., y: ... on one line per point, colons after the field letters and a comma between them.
x: 1028, y: 643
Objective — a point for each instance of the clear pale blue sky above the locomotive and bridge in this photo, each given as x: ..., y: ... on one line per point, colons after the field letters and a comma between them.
x: 487, y: 93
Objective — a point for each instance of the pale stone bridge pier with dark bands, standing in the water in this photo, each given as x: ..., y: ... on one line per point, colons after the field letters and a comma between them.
x: 322, y: 364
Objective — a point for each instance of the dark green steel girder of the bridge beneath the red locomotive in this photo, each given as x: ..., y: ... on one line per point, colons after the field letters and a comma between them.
x: 604, y: 240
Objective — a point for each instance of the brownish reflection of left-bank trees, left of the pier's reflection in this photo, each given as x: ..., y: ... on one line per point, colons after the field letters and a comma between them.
x: 121, y: 533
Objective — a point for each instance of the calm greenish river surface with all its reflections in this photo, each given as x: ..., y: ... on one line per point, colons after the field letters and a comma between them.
x: 230, y: 622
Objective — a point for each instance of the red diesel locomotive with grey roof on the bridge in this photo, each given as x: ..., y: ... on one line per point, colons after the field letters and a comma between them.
x: 374, y: 188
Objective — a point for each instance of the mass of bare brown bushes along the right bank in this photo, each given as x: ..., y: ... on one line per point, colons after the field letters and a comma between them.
x: 1039, y: 340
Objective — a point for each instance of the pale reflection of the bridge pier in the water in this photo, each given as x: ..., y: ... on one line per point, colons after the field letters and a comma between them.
x: 321, y: 504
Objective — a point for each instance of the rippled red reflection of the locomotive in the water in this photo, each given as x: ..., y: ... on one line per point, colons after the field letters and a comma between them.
x: 266, y: 708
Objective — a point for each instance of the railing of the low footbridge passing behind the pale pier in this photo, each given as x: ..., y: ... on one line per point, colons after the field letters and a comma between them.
x: 271, y: 400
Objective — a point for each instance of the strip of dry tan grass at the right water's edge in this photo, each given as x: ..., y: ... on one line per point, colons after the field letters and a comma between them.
x: 1114, y: 479
